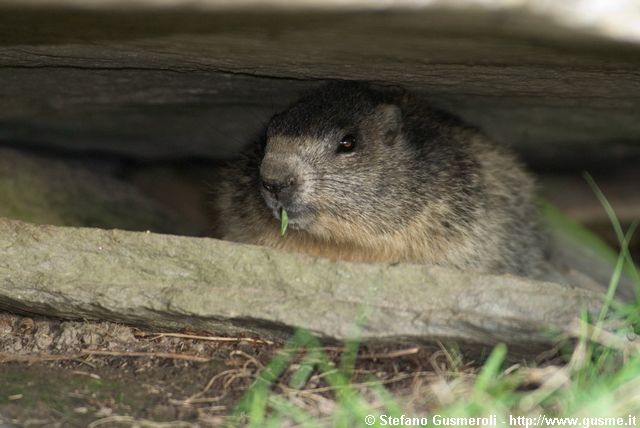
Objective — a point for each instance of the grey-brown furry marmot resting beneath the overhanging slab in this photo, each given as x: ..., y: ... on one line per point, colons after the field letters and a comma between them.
x: 374, y: 174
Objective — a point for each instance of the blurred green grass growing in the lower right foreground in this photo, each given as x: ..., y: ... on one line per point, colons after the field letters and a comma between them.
x: 595, y: 380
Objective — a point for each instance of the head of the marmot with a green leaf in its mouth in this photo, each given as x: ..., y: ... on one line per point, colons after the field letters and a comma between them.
x: 340, y: 163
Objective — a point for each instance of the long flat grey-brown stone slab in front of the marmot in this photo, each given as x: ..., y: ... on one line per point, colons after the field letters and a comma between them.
x: 177, y: 282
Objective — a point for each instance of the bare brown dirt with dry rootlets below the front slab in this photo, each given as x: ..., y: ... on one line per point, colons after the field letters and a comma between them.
x: 56, y: 373
